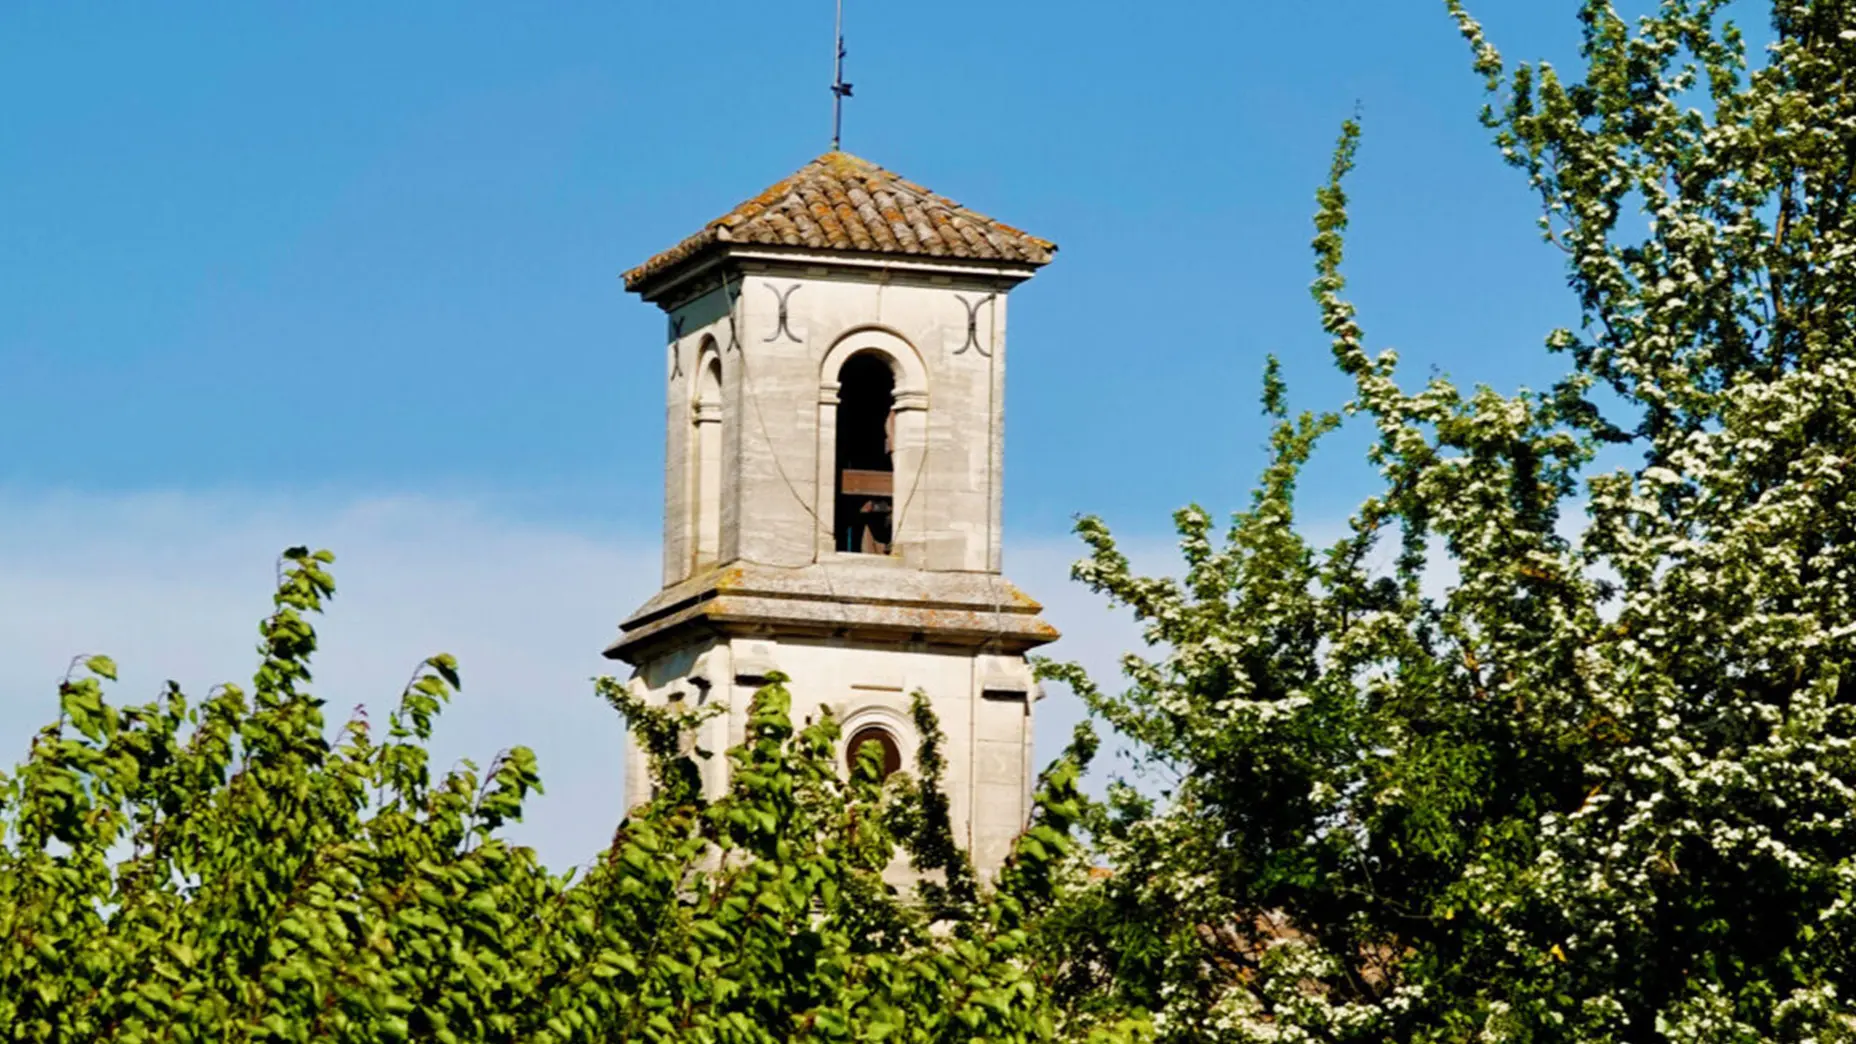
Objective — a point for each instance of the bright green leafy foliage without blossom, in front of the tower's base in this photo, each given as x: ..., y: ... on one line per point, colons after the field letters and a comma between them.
x: 224, y: 870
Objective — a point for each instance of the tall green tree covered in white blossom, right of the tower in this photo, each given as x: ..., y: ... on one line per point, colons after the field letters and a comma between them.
x: 1579, y: 763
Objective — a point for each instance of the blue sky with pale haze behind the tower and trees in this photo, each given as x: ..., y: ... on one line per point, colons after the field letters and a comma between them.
x: 335, y: 272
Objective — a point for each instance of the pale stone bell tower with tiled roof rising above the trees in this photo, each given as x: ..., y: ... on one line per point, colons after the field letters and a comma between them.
x: 834, y: 480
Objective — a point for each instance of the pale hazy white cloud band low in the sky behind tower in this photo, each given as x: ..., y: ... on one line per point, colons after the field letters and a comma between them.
x: 174, y: 586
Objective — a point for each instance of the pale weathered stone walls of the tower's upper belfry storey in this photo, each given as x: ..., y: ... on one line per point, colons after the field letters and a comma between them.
x: 779, y: 426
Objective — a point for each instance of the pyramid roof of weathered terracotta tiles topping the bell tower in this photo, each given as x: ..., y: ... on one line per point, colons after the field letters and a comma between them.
x: 844, y: 203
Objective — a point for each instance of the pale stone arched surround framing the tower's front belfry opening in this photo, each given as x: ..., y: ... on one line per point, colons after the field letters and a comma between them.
x: 907, y: 447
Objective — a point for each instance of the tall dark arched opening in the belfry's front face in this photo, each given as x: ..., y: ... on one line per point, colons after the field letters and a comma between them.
x: 866, y: 454
